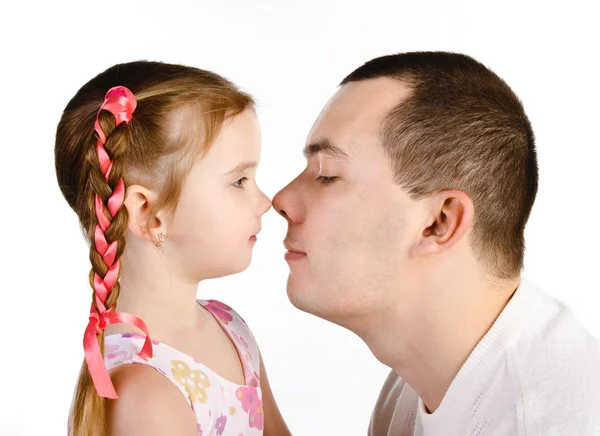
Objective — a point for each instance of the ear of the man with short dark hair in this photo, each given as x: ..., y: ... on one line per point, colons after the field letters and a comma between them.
x: 451, y: 213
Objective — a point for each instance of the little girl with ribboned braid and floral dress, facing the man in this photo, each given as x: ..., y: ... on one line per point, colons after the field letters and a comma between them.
x: 159, y: 163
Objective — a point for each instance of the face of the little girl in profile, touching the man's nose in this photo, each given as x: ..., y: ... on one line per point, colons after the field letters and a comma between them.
x: 213, y: 228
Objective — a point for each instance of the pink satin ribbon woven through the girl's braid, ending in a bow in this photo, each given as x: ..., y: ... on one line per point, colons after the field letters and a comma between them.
x: 121, y: 103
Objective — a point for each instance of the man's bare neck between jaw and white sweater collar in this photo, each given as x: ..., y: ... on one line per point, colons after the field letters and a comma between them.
x: 427, y: 341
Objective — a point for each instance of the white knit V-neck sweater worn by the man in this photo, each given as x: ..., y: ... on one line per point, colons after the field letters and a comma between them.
x: 535, y: 373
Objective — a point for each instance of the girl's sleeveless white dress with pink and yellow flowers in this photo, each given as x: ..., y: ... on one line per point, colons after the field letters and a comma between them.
x: 221, y: 407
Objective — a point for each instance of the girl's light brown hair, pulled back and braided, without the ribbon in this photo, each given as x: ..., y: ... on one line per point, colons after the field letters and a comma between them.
x: 179, y: 112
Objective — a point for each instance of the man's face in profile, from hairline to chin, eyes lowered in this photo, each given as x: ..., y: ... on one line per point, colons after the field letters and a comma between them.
x: 344, y: 211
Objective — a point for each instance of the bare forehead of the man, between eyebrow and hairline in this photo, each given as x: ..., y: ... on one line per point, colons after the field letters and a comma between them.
x: 357, y: 110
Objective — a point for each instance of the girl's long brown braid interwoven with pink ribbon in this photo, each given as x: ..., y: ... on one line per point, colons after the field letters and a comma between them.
x: 106, y: 226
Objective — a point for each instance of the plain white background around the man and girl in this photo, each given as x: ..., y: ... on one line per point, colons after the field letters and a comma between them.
x: 291, y: 56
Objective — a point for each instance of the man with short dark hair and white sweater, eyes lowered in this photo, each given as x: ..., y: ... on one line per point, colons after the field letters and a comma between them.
x: 406, y: 227
